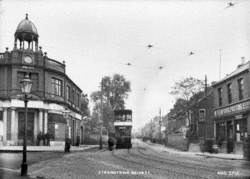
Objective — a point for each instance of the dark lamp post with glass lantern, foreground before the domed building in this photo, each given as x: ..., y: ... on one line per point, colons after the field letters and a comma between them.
x: 25, y: 86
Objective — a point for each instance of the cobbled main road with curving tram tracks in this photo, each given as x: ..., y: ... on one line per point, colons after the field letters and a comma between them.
x: 143, y: 161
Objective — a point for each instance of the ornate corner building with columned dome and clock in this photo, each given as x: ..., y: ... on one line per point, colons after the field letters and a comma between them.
x: 54, y: 101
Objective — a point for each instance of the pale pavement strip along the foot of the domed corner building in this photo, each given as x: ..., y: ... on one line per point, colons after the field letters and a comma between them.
x: 45, y: 148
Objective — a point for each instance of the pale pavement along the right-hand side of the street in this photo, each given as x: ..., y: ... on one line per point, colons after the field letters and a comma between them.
x: 225, y: 156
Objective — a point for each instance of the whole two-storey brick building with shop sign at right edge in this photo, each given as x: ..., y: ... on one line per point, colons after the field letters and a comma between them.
x: 231, y: 109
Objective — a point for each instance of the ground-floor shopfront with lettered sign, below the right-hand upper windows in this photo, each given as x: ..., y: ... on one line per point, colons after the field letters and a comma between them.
x: 231, y: 127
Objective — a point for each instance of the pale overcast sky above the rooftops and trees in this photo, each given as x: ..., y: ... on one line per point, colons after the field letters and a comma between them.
x: 99, y: 37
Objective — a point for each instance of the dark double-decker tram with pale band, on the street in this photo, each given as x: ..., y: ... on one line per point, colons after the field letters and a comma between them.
x: 123, y: 127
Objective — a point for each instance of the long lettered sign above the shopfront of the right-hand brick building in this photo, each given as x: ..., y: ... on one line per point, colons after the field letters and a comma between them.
x: 232, y: 109
